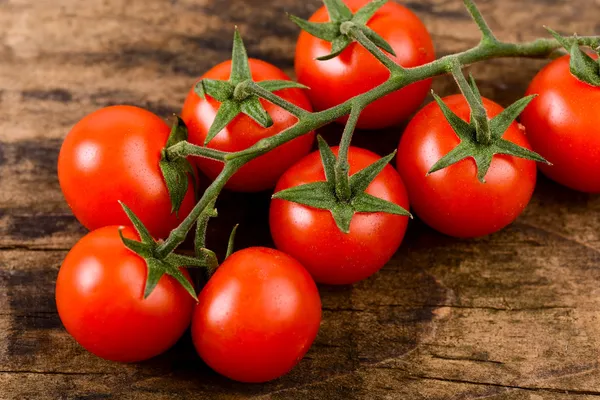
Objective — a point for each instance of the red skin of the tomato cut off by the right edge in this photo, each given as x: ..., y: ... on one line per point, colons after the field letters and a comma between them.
x: 563, y: 125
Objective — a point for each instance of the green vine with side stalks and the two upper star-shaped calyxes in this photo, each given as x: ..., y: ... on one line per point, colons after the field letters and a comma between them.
x: 349, y: 28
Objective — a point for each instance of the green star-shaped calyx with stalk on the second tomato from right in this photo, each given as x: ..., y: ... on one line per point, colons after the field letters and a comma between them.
x: 481, y: 138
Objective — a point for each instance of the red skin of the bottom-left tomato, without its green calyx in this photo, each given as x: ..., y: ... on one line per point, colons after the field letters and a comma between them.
x: 99, y: 296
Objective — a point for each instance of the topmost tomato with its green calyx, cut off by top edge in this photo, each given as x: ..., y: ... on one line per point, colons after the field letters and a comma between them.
x: 336, y: 68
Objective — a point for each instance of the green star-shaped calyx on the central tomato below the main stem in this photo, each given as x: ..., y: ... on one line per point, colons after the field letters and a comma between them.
x: 326, y: 195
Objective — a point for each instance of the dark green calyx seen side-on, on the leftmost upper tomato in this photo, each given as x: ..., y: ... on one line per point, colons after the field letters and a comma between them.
x: 176, y: 172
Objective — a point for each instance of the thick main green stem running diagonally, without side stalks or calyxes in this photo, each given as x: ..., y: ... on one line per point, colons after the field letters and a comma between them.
x: 485, y: 50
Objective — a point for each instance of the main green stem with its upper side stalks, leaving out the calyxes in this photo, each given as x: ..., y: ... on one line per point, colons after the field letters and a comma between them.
x: 488, y: 48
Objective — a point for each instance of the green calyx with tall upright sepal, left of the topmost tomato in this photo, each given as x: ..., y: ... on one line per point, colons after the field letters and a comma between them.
x: 238, y: 95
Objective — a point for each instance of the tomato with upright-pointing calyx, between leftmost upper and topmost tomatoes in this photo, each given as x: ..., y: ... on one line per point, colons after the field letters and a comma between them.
x: 220, y: 117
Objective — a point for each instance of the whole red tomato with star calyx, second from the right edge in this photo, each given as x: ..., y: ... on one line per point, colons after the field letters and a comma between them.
x: 468, y: 167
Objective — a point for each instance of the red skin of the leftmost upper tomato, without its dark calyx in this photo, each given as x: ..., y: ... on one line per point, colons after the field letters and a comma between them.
x: 113, y: 154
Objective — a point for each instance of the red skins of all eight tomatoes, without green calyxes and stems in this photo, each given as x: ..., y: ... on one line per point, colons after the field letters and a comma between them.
x: 259, y: 313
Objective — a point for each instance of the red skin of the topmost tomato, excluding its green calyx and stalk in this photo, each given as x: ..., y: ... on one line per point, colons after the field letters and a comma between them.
x: 356, y: 71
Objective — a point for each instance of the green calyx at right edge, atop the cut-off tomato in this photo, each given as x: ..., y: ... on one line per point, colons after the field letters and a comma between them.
x: 582, y: 66
